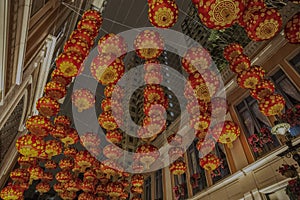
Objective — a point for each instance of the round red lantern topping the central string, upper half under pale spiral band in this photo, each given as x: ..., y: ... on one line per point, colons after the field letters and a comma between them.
x: 148, y: 44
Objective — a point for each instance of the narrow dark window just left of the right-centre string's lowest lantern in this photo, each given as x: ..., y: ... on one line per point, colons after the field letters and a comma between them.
x: 197, y: 179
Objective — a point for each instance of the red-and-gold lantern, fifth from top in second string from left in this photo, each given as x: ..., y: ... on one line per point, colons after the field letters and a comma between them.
x: 108, y: 121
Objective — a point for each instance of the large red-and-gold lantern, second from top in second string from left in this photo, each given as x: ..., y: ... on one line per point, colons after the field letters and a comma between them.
x: 107, y: 68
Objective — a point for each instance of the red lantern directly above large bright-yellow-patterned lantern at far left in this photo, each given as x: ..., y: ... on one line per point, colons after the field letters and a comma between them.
x: 39, y: 125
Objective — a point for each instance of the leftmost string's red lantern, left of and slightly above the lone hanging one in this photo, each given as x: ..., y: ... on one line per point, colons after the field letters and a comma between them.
x: 55, y: 90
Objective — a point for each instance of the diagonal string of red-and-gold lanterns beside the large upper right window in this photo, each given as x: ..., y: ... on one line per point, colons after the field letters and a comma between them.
x: 253, y: 78
